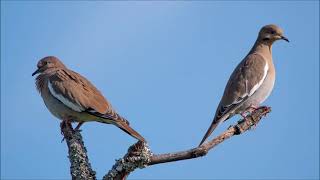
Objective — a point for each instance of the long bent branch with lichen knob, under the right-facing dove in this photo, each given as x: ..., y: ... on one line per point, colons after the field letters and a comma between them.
x: 140, y: 156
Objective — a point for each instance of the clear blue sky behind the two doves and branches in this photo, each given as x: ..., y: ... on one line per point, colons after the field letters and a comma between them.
x: 163, y: 66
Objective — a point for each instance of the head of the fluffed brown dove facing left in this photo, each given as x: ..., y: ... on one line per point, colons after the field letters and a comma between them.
x: 49, y: 62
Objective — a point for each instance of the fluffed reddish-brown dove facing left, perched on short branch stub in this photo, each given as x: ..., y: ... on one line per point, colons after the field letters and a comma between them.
x: 72, y: 98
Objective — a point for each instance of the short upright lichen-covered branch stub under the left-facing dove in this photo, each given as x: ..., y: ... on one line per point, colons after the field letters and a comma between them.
x: 80, y: 168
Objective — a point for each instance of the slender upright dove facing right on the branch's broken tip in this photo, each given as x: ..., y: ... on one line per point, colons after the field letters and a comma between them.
x: 251, y: 82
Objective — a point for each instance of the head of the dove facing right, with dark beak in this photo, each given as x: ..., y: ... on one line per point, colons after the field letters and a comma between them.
x: 270, y: 33
